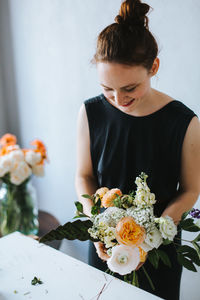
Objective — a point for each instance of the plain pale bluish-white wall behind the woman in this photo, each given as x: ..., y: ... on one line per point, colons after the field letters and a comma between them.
x: 50, y: 76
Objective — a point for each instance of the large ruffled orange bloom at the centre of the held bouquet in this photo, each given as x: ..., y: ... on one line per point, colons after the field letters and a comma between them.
x: 129, y: 233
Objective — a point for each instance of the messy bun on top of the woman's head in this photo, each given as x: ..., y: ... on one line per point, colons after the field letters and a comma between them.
x: 133, y: 13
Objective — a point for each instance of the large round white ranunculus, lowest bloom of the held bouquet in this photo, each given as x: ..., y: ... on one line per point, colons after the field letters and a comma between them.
x: 124, y: 259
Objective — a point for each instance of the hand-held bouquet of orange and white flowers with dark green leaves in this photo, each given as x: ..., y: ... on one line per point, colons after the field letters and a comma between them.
x: 129, y: 230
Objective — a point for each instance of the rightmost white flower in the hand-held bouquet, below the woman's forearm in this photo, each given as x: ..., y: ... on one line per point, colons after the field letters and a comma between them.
x: 167, y: 227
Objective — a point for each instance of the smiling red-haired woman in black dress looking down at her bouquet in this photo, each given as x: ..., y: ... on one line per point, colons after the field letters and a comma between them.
x: 133, y: 128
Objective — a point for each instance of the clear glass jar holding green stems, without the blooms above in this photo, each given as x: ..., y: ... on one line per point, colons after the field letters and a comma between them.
x: 18, y: 208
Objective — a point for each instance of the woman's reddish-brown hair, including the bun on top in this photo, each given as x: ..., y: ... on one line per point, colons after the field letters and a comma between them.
x: 128, y: 40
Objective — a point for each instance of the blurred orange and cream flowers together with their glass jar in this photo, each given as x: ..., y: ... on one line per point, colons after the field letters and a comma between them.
x: 18, y: 206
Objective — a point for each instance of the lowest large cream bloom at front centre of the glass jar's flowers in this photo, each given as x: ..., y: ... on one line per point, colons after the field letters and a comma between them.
x: 20, y: 172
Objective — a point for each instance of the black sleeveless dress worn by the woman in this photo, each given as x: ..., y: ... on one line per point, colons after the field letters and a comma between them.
x: 122, y: 146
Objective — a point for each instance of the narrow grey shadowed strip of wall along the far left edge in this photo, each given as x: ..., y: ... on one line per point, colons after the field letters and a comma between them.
x: 9, y: 106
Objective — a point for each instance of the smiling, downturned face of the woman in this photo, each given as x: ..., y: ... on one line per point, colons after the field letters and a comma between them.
x: 125, y: 87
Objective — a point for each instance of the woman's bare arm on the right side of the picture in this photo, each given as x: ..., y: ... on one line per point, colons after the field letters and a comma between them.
x: 190, y: 173
